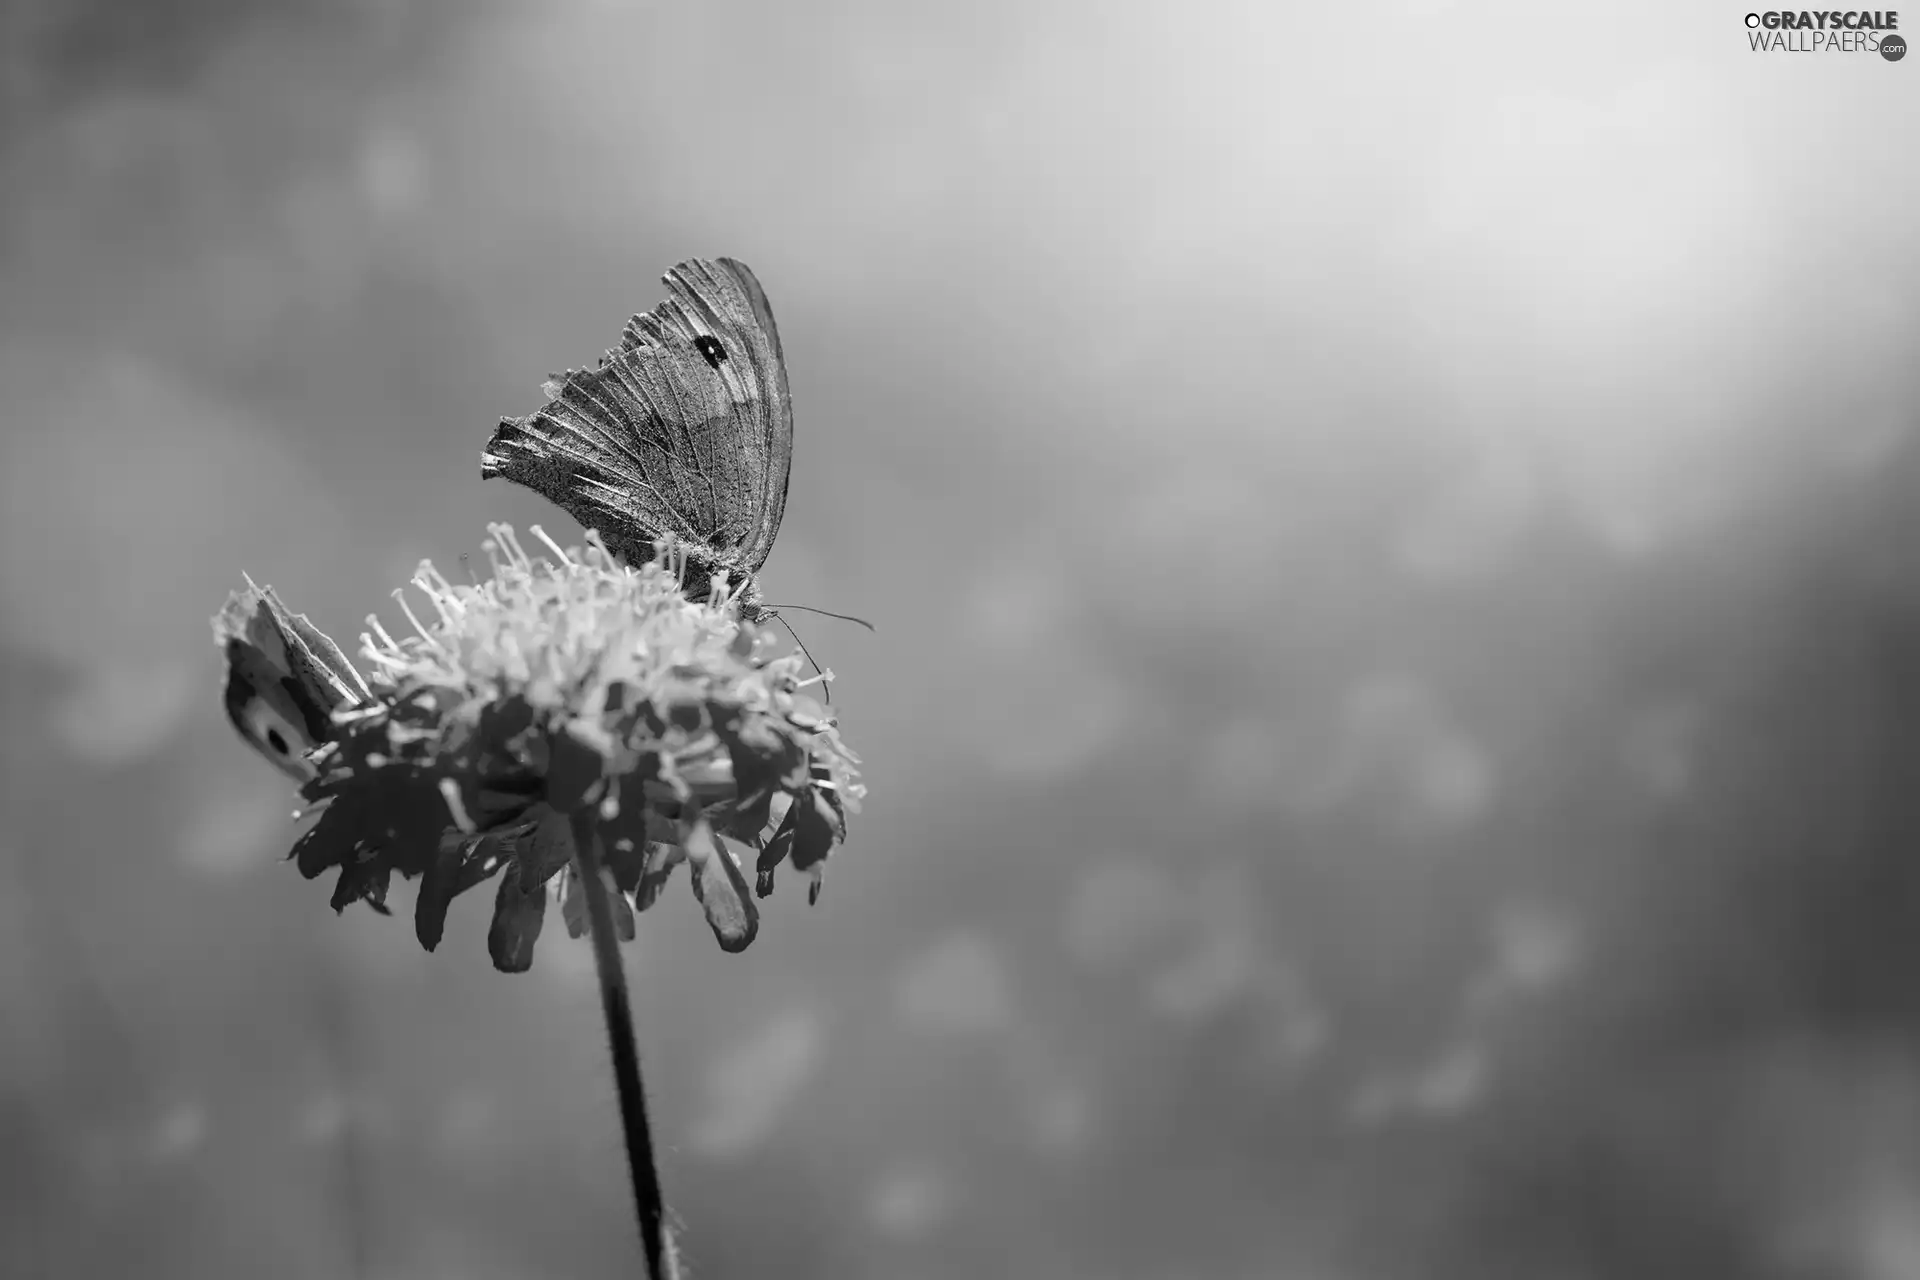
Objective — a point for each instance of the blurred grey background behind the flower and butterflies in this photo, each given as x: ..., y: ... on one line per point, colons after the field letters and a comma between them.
x: 1395, y: 721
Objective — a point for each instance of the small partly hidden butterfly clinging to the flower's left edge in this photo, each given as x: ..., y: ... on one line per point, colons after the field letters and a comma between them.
x: 285, y: 680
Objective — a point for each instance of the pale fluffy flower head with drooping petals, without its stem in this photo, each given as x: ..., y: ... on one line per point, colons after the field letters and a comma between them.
x: 552, y: 690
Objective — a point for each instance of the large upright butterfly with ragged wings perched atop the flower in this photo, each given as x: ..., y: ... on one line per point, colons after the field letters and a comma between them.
x: 684, y: 429
